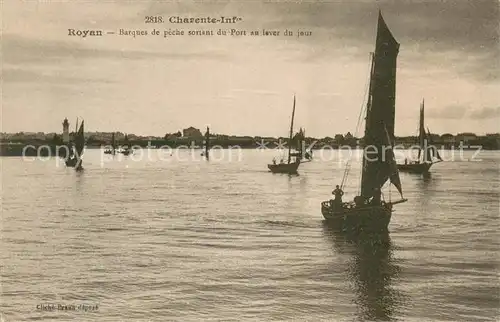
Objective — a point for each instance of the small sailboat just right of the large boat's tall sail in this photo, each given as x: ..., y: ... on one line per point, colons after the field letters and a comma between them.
x: 430, y: 153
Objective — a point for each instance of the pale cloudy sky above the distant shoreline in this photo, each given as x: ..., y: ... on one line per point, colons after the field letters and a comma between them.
x: 244, y: 85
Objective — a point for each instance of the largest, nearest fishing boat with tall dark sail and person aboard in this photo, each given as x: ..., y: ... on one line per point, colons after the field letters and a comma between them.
x: 369, y: 211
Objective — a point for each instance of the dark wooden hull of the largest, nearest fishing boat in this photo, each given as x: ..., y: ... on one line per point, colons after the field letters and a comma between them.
x: 364, y: 218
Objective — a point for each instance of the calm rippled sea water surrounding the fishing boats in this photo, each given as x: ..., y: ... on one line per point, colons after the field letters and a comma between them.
x: 188, y: 240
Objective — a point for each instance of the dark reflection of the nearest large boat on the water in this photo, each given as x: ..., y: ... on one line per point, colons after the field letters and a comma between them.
x: 371, y: 271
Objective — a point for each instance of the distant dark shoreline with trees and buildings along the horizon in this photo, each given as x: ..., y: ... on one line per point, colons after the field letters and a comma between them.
x: 42, y: 144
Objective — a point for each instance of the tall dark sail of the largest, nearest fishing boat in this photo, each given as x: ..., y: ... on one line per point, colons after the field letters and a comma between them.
x: 378, y: 161
